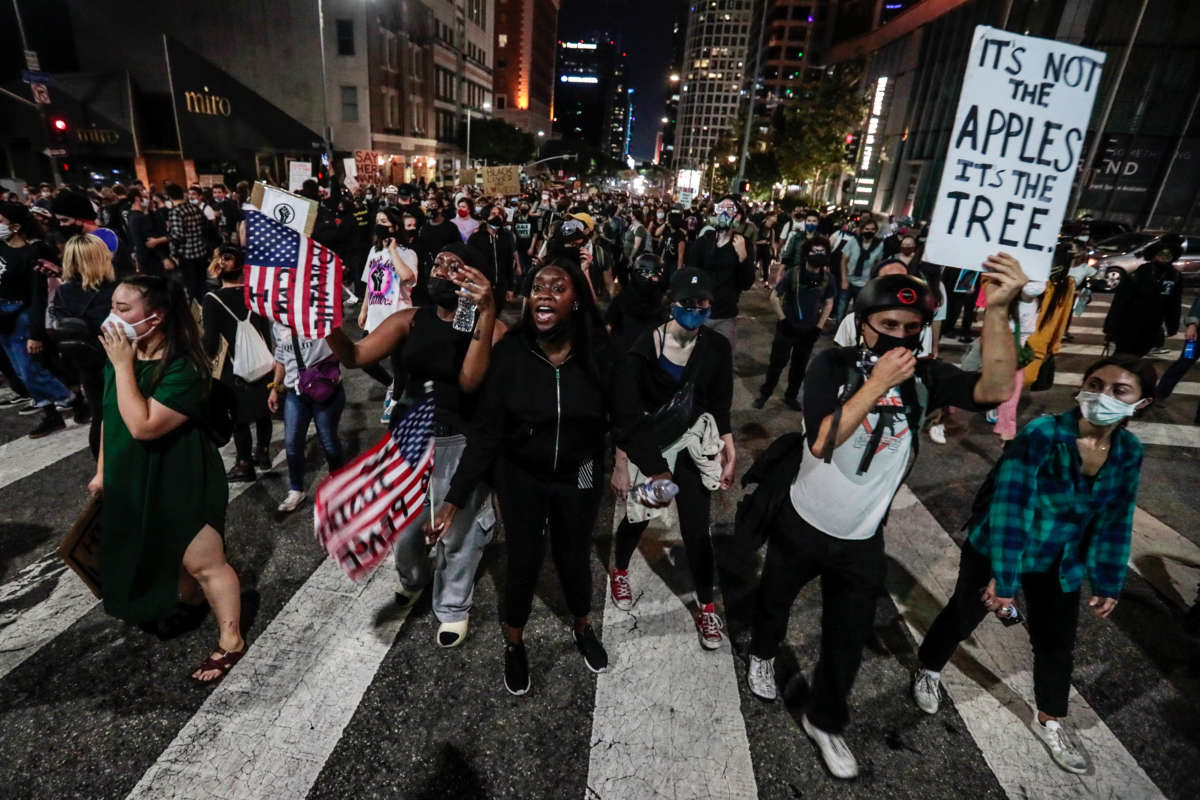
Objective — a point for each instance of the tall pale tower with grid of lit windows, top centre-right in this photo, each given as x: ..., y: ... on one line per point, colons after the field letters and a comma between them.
x: 716, y: 64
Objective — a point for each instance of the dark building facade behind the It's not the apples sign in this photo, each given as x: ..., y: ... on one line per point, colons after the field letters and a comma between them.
x: 1147, y: 172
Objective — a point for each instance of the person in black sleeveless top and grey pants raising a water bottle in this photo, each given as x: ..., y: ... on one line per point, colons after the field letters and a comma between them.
x: 431, y: 350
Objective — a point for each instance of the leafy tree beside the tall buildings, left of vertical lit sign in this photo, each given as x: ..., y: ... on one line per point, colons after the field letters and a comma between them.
x: 811, y: 133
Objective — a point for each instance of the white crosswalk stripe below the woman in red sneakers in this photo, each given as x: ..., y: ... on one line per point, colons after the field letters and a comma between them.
x: 668, y: 717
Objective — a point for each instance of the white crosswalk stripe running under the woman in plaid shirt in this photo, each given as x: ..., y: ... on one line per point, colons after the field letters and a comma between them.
x: 995, y: 706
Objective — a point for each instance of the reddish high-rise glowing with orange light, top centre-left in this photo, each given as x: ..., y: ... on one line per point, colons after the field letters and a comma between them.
x: 524, y: 79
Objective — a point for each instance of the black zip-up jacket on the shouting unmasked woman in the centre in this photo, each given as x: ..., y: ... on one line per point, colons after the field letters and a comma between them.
x: 544, y: 419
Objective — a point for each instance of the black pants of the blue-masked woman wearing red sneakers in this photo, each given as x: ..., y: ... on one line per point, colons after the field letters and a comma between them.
x: 694, y: 504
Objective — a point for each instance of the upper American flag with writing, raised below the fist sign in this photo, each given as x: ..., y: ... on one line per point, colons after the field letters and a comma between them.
x: 291, y: 279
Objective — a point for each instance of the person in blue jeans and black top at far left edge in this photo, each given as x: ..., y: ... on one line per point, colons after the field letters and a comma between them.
x: 23, y: 300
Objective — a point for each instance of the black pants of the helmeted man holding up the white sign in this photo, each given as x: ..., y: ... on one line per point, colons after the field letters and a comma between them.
x: 851, y: 579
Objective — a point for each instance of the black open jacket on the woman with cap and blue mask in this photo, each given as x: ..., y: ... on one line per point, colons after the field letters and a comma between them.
x: 641, y: 388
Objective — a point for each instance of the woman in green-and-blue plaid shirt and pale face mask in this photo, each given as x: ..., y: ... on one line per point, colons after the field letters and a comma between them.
x: 1057, y: 508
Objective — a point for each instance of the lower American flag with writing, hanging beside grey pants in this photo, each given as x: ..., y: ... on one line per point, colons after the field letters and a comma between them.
x: 359, y: 510
